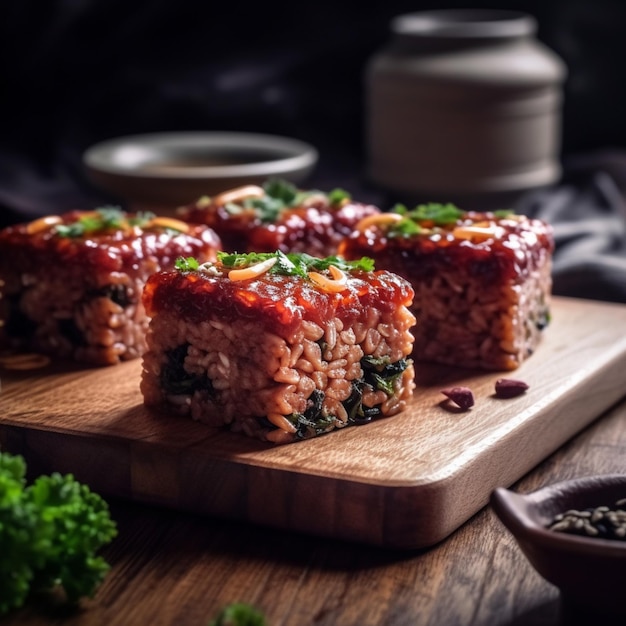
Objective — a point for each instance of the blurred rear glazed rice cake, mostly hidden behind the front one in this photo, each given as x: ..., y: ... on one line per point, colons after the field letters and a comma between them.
x: 278, y: 216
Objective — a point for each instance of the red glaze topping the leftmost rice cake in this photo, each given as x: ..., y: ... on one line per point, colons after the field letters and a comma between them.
x: 113, y: 251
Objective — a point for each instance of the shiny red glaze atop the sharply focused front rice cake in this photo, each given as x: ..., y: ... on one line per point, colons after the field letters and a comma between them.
x: 278, y: 303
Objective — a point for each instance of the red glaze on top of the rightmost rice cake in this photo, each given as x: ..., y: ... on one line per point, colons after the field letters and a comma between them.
x: 521, y: 249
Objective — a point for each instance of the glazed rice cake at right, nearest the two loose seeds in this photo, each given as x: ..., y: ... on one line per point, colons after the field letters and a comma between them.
x: 482, y: 281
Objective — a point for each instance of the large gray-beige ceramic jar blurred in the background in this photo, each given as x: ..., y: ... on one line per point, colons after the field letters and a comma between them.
x: 463, y: 106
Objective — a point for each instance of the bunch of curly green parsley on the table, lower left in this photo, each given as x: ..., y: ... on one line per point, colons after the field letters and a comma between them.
x: 50, y: 532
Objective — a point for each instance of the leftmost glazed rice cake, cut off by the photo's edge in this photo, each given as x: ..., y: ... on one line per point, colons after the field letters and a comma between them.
x: 71, y: 284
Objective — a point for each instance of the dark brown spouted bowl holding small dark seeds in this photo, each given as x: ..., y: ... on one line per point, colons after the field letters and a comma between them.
x: 589, y: 571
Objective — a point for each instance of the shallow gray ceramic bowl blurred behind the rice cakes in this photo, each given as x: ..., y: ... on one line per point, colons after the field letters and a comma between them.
x: 166, y: 170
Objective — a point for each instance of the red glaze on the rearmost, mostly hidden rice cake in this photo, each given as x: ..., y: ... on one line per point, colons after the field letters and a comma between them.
x: 316, y: 228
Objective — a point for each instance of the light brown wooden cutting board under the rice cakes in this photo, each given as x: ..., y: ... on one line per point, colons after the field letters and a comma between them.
x: 407, y: 481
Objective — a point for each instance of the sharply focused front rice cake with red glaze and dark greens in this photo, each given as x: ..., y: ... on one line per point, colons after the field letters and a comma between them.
x: 279, y: 347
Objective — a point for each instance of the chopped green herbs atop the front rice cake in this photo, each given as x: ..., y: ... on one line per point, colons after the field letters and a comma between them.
x: 293, y: 264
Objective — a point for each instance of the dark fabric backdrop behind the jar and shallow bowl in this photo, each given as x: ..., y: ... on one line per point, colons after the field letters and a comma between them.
x: 75, y: 72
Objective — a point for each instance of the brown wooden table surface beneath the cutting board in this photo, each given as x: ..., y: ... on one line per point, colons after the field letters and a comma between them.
x: 174, y: 568
